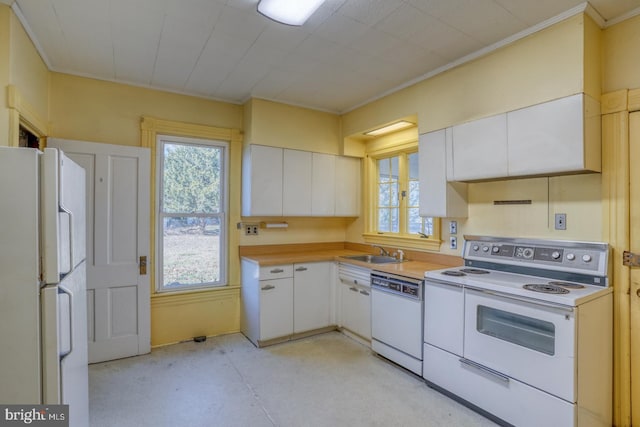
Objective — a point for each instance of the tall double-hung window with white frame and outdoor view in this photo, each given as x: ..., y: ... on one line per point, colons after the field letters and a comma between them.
x: 192, y: 209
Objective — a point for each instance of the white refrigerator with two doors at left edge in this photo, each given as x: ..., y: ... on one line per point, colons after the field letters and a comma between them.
x: 43, y: 318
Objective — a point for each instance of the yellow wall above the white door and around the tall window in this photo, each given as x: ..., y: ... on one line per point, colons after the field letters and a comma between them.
x: 93, y: 110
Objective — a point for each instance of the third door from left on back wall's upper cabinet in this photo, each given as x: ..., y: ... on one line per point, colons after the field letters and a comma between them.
x: 323, y: 185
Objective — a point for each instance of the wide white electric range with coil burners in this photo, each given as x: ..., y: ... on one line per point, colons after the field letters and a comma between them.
x: 523, y: 332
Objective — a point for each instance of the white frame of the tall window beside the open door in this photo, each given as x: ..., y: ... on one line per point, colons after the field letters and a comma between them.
x: 161, y: 139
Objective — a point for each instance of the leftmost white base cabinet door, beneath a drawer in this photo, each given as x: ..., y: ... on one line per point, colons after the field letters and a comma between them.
x: 276, y: 308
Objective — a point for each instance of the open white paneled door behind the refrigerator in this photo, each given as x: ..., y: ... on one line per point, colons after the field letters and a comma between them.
x: 118, y: 293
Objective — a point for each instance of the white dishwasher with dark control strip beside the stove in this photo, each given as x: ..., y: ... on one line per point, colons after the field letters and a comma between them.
x: 396, y: 319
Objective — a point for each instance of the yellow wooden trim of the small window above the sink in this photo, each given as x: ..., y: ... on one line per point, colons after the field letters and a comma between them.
x: 370, y: 234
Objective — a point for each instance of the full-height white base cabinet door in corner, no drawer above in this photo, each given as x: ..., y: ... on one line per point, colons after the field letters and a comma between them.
x: 312, y: 295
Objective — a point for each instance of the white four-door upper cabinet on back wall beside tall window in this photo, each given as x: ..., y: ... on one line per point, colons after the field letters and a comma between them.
x: 284, y: 182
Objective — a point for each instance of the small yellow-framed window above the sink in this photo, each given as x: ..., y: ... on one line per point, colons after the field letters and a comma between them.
x: 394, y: 193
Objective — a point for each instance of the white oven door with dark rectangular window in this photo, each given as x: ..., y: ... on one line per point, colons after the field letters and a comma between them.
x: 531, y: 341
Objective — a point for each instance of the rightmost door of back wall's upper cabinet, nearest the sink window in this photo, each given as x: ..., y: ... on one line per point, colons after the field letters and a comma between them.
x: 347, y: 186
